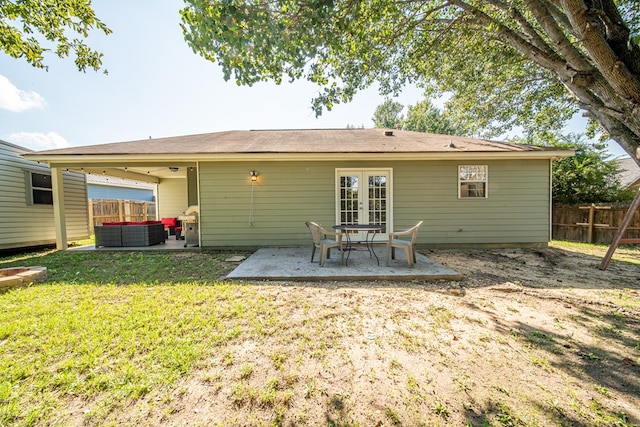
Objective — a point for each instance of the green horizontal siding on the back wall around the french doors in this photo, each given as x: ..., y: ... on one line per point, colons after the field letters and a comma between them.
x: 289, y: 193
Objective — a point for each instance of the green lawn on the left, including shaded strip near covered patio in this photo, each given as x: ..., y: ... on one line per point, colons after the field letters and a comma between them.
x: 86, y: 335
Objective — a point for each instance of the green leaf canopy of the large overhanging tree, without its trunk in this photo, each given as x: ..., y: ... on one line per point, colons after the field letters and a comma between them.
x: 345, y: 47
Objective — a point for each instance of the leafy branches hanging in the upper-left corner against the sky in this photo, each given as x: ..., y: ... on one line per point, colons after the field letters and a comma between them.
x: 26, y: 25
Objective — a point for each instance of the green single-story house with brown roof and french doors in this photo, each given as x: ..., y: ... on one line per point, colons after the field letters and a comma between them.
x: 468, y: 191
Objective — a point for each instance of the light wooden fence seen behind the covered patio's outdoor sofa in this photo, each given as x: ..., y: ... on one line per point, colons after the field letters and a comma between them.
x: 119, y: 210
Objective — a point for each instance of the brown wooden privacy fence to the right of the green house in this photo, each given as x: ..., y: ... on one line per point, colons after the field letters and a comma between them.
x: 595, y: 223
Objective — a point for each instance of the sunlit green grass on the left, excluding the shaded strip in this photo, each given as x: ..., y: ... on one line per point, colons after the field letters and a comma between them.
x: 109, y: 343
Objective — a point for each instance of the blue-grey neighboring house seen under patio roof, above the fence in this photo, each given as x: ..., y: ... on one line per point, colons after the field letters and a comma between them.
x: 114, y: 188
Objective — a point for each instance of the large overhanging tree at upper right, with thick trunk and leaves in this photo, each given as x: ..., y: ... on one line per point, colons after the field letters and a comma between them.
x: 528, y: 63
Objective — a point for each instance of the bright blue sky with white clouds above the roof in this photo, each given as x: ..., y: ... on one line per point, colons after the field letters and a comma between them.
x: 156, y: 87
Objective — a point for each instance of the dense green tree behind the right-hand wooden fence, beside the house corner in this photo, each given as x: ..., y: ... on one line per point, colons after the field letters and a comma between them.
x: 591, y: 176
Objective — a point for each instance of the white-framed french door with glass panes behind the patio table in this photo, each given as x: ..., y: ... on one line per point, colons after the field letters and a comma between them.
x: 363, y: 196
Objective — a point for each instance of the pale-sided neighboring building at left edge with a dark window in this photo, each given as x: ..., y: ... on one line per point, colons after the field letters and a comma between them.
x: 27, y: 201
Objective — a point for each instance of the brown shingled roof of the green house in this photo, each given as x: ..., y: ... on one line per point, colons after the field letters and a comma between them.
x: 300, y: 141
